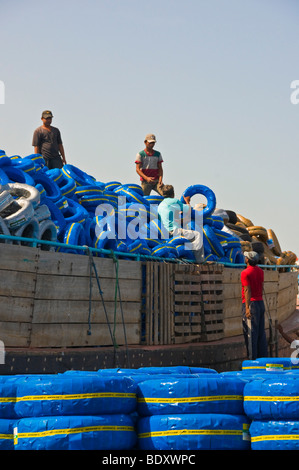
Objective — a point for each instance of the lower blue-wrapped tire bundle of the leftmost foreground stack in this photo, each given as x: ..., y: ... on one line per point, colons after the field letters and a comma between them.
x: 106, y: 432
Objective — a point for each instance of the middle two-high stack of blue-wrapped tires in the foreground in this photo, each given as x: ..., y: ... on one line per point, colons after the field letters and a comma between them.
x: 192, y: 413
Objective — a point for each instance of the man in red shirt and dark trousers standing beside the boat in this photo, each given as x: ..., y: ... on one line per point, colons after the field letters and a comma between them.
x: 253, y: 308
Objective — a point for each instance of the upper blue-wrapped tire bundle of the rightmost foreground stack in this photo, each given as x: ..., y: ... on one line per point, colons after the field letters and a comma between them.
x: 273, y: 398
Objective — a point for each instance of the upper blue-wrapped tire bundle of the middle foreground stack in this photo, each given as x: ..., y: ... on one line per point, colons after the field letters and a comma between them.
x: 211, y: 394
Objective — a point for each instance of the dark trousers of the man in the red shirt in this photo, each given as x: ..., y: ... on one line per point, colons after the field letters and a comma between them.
x: 257, y: 334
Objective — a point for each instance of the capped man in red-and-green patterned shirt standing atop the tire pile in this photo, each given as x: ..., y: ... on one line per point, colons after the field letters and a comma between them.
x: 149, y: 166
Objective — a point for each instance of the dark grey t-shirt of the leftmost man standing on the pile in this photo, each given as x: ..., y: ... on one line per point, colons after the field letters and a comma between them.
x: 47, y: 141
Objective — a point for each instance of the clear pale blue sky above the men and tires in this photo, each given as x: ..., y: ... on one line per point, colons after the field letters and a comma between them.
x: 212, y: 79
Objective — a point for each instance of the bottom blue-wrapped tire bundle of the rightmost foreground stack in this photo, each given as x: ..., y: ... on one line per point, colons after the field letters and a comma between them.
x: 274, y: 435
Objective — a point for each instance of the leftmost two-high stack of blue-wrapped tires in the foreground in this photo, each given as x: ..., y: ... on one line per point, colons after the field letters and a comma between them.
x: 67, y: 412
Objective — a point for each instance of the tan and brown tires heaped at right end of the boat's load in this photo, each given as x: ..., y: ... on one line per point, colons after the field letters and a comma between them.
x: 257, y: 238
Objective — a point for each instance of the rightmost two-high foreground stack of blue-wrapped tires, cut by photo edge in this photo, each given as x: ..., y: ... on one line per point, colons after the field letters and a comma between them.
x: 272, y: 405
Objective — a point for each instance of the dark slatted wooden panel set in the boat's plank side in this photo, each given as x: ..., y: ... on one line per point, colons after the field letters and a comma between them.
x: 183, y: 303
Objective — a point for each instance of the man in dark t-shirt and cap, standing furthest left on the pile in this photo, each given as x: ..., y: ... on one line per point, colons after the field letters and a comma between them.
x: 47, y: 142
